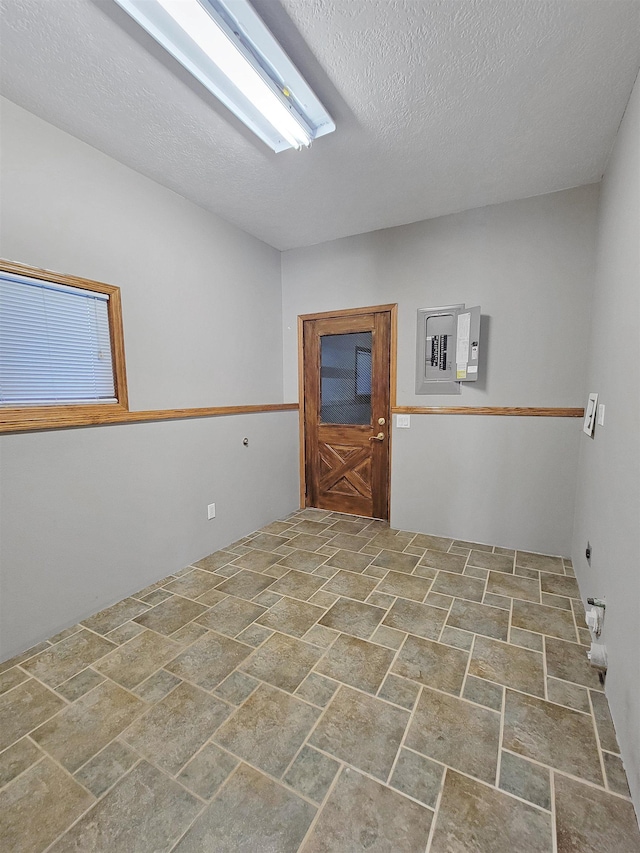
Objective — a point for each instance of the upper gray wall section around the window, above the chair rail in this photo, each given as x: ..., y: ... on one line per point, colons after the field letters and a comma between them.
x: 200, y: 298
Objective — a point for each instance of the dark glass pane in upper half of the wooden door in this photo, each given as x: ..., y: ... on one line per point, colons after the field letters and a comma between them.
x: 345, y: 373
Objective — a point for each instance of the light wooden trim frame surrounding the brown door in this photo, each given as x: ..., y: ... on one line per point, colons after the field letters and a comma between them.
x: 393, y: 346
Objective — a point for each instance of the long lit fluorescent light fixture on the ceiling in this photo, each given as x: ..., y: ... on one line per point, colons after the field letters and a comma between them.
x: 228, y: 48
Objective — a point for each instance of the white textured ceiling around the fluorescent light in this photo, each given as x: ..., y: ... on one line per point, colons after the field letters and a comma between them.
x: 440, y: 105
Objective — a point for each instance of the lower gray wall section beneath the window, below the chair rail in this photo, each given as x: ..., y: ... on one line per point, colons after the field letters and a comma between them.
x: 92, y: 515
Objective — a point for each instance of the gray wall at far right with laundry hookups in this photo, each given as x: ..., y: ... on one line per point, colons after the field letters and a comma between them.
x: 608, y: 497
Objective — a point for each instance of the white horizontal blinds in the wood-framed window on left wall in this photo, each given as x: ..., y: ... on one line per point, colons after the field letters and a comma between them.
x: 55, y: 344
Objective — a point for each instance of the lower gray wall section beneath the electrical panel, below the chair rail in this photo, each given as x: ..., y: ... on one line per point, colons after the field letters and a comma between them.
x: 498, y: 480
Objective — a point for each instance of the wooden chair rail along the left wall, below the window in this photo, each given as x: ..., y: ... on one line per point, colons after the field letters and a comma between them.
x: 60, y: 417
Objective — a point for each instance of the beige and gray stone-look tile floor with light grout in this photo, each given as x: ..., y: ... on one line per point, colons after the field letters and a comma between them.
x: 325, y: 684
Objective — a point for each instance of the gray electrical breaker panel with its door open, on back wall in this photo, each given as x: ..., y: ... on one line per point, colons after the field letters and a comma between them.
x: 448, y: 348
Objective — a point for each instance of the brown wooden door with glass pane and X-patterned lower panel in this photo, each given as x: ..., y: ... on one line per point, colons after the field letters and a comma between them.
x: 346, y: 398
